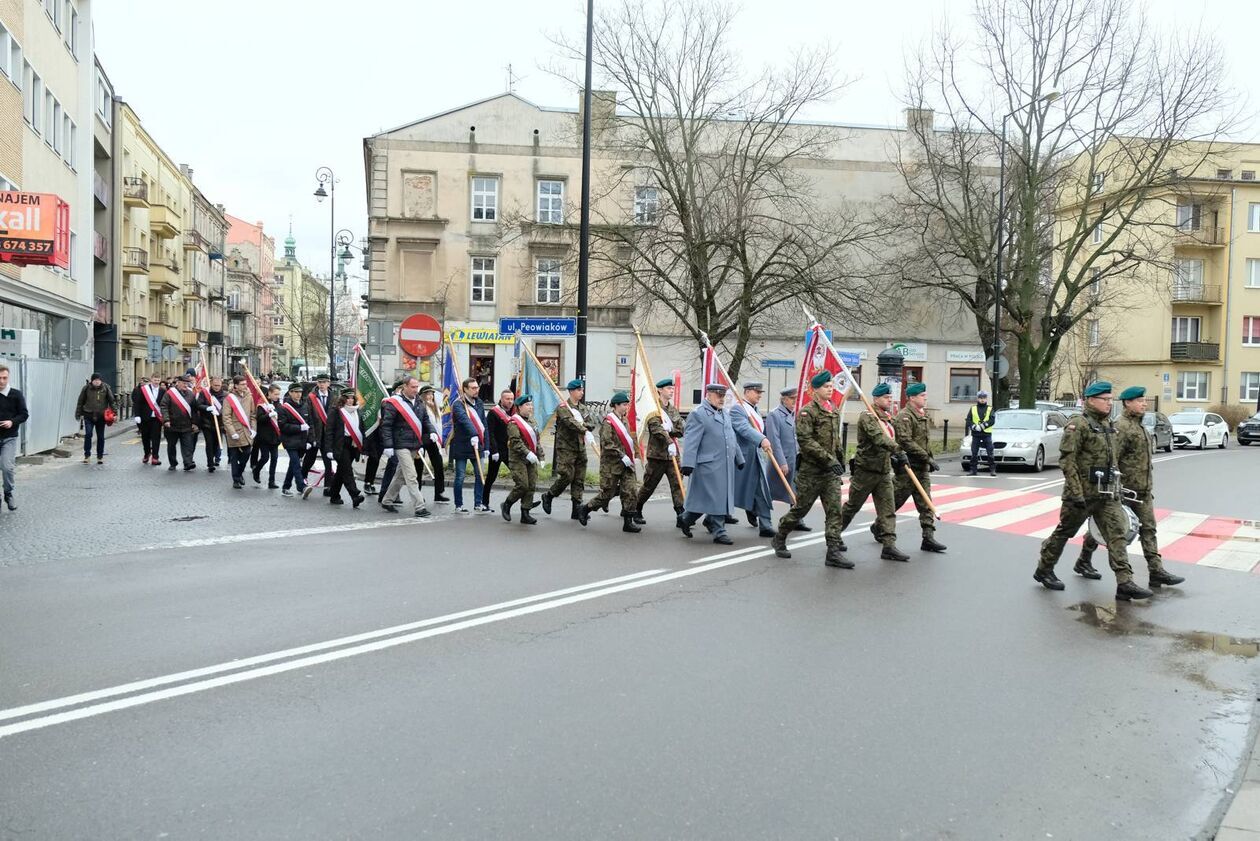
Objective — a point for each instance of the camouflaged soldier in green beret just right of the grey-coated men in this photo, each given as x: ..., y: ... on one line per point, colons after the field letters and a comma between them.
x: 822, y: 465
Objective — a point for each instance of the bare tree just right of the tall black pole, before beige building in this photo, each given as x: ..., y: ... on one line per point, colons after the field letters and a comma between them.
x: 709, y: 211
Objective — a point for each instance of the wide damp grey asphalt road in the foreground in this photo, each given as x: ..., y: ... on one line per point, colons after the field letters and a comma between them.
x: 467, y: 680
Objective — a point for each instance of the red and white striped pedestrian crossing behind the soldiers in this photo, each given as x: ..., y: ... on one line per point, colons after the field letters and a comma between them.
x: 1186, y: 538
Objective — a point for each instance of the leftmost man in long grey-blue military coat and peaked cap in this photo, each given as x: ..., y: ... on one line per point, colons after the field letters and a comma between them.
x: 710, y: 462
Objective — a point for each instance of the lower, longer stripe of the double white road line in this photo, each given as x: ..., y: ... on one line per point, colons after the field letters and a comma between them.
x: 343, y: 654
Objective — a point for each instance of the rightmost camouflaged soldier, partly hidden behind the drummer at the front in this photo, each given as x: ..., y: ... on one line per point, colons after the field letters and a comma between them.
x: 1133, y: 457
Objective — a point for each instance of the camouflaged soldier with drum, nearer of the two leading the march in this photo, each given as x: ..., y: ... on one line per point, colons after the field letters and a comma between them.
x: 1088, y: 456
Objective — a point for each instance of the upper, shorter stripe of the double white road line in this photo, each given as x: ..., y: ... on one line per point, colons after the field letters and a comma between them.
x: 153, y: 683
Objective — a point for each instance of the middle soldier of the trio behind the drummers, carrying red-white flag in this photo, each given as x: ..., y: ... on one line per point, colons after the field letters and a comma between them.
x: 879, y: 455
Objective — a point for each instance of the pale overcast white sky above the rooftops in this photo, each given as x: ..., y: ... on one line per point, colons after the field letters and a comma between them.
x: 255, y: 95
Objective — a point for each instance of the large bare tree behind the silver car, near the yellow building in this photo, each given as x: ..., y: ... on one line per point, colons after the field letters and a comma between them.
x: 1106, y: 123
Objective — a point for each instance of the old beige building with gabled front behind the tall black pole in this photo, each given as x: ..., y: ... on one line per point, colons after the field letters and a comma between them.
x: 473, y: 220
